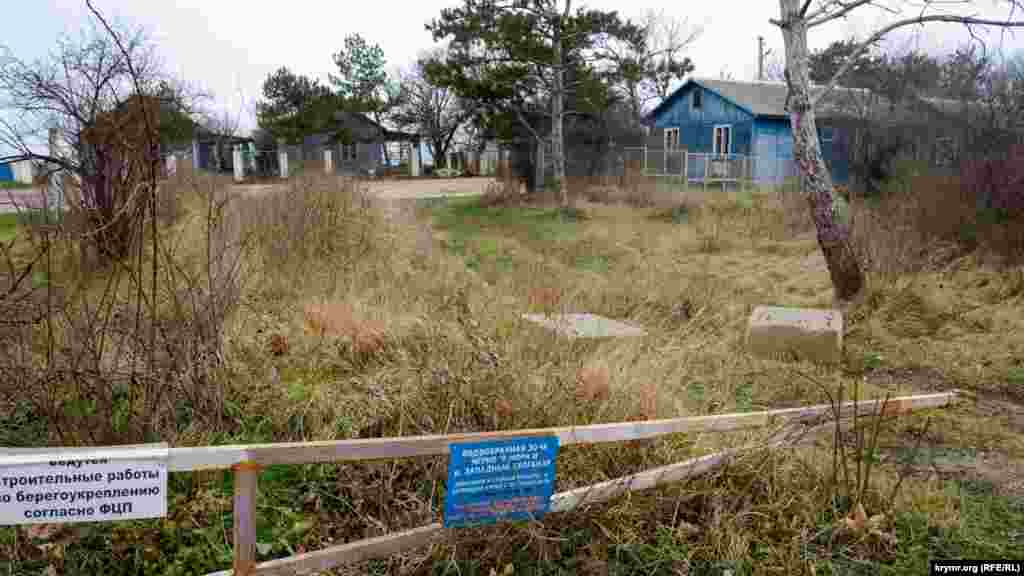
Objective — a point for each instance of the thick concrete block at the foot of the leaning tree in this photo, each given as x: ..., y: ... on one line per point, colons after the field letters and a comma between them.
x: 810, y: 335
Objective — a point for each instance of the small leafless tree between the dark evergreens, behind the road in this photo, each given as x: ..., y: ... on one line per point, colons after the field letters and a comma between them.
x: 436, y: 111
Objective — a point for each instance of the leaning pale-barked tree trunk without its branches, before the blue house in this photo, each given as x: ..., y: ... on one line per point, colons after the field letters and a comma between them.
x: 817, y: 184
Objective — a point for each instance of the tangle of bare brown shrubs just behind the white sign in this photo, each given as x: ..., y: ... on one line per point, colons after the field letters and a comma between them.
x: 131, y: 352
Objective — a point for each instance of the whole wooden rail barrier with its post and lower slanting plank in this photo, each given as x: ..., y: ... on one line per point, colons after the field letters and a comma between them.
x: 246, y: 461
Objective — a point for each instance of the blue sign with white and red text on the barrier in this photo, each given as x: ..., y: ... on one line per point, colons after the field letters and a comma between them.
x: 502, y: 480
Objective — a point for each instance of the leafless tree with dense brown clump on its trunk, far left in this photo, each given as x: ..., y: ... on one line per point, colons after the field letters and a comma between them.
x: 108, y: 105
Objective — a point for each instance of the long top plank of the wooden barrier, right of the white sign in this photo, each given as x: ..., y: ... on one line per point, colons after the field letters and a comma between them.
x: 182, y: 460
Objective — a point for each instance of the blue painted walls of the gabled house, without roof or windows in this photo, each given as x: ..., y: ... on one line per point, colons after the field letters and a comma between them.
x: 766, y: 138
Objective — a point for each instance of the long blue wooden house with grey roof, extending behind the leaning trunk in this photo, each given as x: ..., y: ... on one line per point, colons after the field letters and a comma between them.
x: 858, y: 131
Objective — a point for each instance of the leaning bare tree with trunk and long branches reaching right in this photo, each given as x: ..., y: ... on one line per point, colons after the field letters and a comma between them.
x: 799, y: 17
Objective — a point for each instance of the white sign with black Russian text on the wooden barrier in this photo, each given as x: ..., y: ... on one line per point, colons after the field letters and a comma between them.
x: 79, y: 485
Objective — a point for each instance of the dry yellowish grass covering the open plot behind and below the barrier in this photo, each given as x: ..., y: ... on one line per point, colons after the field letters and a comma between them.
x: 357, y: 322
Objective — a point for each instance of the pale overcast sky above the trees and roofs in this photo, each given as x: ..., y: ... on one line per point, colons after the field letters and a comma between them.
x: 230, y: 47
